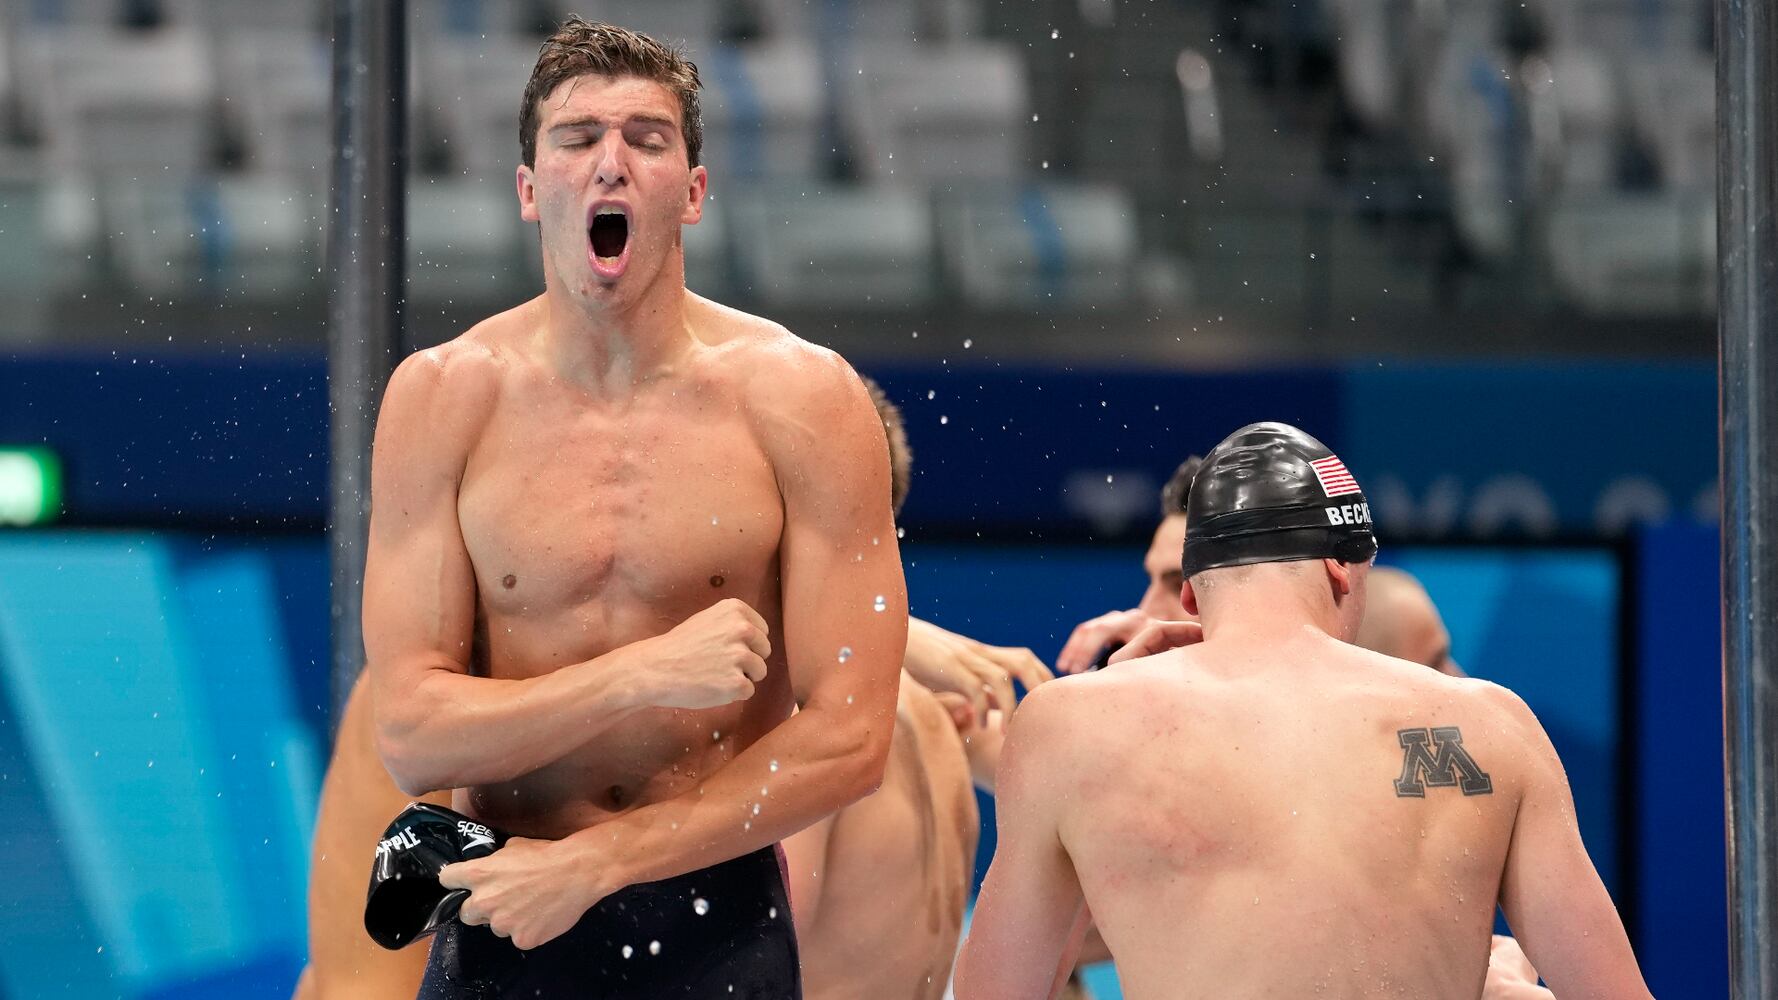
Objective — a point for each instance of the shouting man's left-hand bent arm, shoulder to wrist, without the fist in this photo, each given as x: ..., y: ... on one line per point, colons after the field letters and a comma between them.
x: 436, y: 725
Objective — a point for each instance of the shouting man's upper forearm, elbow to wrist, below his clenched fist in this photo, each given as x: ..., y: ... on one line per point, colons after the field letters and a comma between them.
x: 453, y: 730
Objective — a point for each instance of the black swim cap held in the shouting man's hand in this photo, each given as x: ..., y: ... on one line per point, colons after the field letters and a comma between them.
x: 406, y: 899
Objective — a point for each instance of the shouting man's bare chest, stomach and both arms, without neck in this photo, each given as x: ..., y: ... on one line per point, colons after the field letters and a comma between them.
x: 588, y: 604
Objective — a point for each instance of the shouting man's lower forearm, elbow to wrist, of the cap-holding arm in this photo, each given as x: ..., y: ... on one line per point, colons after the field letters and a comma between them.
x: 801, y: 771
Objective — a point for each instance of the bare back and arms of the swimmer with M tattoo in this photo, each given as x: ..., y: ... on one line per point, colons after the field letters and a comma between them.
x: 1290, y: 819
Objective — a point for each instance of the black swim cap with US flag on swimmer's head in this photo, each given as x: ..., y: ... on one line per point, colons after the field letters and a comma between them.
x: 1270, y: 494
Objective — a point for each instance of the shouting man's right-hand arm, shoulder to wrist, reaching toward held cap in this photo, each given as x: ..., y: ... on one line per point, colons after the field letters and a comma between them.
x: 845, y: 629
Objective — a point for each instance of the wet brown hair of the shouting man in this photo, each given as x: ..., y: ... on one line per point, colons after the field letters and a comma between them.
x: 582, y: 47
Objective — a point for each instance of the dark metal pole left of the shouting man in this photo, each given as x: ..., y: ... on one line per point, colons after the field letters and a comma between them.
x: 365, y: 271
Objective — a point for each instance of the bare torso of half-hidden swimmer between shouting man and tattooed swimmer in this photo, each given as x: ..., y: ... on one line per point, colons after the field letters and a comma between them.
x: 899, y: 867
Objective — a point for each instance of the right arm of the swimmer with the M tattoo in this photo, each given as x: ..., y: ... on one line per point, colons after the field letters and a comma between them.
x: 1551, y: 892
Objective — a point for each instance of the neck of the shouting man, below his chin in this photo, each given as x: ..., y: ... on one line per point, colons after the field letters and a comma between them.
x: 614, y: 350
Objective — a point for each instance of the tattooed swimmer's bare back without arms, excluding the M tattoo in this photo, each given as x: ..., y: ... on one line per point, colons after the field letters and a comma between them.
x: 1245, y: 812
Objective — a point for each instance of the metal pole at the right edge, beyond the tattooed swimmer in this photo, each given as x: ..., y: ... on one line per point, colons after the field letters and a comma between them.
x: 1747, y: 175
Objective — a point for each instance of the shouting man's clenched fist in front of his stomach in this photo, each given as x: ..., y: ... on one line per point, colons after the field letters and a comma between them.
x: 716, y: 657
